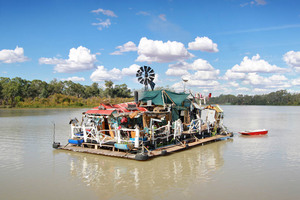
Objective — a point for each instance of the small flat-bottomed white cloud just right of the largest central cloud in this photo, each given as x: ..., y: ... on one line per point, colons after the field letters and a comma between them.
x: 203, y: 44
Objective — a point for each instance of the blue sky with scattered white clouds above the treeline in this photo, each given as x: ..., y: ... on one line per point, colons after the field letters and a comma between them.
x: 218, y: 46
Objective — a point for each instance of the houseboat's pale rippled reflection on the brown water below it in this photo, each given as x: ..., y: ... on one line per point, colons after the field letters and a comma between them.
x: 108, y: 176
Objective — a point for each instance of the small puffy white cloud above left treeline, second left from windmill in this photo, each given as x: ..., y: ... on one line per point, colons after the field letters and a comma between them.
x: 102, y: 74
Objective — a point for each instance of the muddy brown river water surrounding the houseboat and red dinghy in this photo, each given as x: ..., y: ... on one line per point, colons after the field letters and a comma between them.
x: 255, y: 167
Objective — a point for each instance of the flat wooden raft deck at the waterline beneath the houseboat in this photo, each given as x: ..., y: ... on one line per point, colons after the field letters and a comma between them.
x: 147, y: 155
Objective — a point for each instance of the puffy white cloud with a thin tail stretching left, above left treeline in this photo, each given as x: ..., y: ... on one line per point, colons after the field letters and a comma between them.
x: 80, y: 59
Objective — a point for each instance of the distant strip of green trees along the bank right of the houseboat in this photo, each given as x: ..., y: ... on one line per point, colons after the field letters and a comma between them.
x: 281, y: 97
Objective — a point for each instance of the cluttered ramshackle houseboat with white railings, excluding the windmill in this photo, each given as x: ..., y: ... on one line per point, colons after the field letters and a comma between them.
x: 159, y: 123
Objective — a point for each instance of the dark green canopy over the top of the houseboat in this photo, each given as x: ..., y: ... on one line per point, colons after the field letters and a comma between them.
x: 161, y: 97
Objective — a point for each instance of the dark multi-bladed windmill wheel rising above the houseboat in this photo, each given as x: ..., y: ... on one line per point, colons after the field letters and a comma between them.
x: 146, y: 76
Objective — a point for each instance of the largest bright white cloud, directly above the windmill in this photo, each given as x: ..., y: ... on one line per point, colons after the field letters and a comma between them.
x: 158, y: 51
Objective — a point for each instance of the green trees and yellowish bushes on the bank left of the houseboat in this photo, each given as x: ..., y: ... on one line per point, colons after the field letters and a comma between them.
x: 18, y: 92
